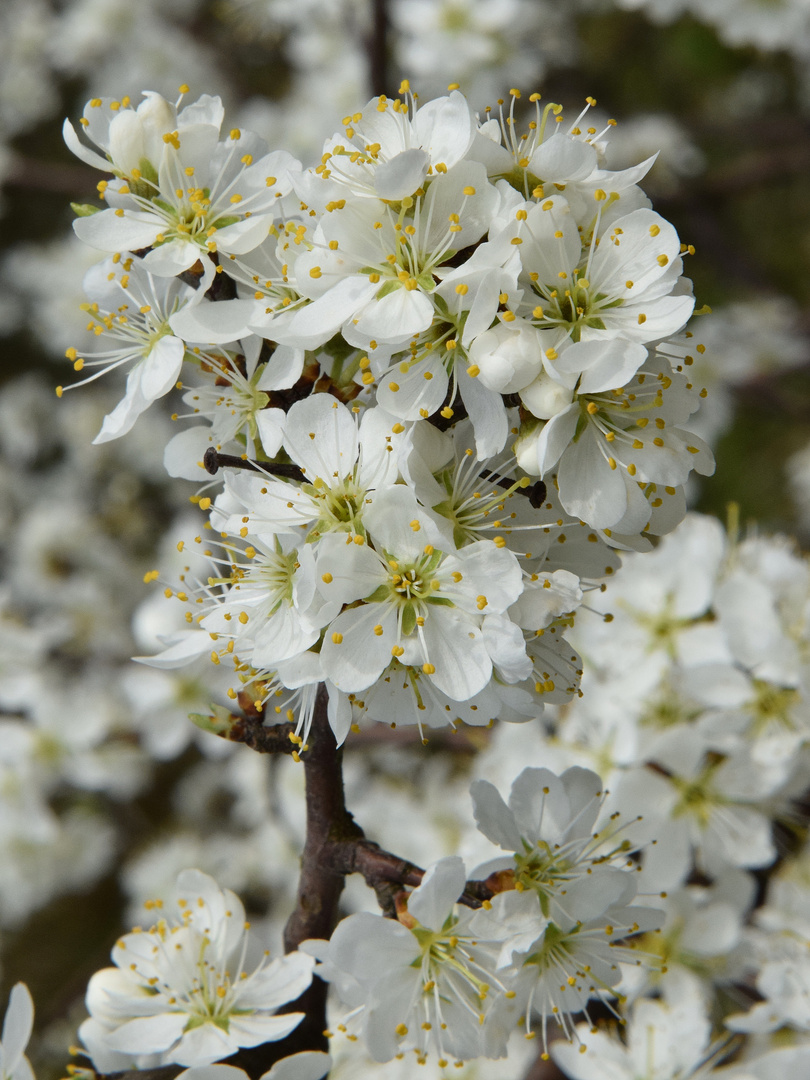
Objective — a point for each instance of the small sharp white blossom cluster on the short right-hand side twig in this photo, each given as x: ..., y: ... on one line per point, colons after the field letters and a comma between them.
x: 453, y: 982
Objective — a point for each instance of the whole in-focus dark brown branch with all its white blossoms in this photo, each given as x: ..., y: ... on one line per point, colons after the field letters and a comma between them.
x: 394, y: 566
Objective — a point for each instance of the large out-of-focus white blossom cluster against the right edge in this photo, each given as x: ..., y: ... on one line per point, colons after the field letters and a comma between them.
x: 711, y: 734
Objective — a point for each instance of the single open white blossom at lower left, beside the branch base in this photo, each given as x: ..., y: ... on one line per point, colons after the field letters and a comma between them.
x: 178, y: 992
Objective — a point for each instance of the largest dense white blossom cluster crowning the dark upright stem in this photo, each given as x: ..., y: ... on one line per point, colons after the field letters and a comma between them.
x: 396, y: 344
